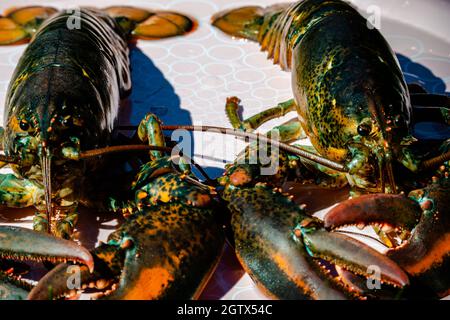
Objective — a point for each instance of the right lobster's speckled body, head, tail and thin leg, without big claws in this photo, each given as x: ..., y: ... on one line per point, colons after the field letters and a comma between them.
x: 349, y: 92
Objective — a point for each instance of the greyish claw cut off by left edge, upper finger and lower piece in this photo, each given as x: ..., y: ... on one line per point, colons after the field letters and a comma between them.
x: 25, y: 244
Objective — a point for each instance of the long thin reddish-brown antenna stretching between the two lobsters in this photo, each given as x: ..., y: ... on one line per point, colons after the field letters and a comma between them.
x: 257, y: 136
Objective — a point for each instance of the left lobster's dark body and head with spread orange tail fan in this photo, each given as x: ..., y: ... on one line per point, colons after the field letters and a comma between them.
x: 62, y: 101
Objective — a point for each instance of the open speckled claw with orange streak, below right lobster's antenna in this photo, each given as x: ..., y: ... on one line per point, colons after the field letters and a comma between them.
x: 281, y: 248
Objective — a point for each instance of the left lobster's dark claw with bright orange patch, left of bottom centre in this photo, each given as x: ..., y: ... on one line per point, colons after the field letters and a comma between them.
x: 169, y: 245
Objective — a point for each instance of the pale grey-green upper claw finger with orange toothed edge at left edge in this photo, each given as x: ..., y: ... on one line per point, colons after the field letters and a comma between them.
x: 26, y: 244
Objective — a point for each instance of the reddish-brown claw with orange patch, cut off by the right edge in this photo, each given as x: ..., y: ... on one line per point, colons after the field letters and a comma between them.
x: 425, y: 255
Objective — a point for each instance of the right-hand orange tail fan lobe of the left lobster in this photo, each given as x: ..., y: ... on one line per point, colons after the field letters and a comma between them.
x: 147, y: 25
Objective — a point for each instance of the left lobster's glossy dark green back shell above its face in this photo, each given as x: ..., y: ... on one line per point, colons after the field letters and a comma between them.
x: 78, y: 72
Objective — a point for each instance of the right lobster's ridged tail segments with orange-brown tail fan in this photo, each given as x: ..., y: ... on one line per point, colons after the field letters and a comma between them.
x: 278, y: 28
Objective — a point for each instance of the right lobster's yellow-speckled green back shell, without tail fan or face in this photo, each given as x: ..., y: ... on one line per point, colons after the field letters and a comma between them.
x: 343, y: 73
